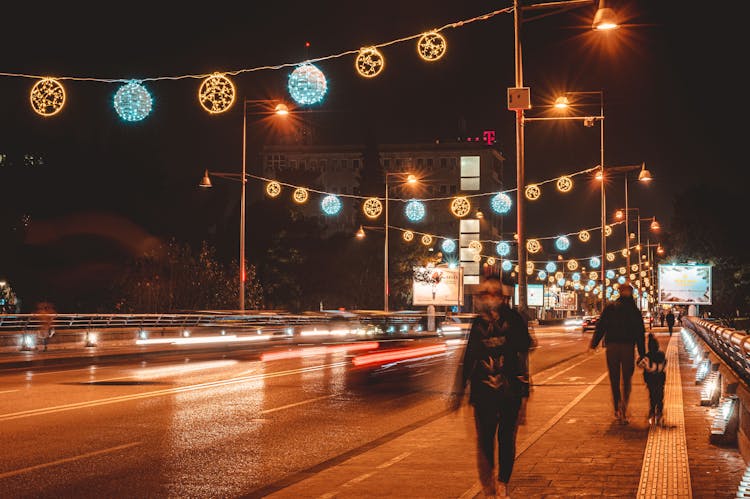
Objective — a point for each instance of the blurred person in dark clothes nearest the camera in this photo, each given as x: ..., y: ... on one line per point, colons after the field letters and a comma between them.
x: 496, y: 366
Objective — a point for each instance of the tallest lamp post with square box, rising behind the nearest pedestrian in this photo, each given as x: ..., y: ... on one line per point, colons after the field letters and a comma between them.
x: 519, y: 100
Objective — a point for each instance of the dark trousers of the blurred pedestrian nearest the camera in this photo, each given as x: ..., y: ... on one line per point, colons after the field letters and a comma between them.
x: 496, y: 420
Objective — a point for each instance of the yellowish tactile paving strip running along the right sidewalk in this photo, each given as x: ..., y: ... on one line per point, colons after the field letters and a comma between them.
x: 665, y: 472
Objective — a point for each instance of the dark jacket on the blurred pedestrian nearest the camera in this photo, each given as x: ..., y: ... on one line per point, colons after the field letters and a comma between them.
x: 496, y: 358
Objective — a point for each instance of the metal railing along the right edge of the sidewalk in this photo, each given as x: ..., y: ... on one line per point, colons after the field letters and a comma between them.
x: 731, y: 345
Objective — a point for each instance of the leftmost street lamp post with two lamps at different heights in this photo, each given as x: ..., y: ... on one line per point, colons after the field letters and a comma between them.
x: 279, y: 109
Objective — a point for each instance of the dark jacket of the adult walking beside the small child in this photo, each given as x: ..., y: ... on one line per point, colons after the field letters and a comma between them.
x: 622, y: 323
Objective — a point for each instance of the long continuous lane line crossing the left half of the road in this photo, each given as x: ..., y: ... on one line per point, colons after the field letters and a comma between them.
x: 160, y: 393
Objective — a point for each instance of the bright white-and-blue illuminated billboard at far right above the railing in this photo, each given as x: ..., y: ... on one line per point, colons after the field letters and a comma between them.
x: 685, y: 284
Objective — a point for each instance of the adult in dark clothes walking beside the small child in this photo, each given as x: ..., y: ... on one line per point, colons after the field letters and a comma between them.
x: 621, y: 327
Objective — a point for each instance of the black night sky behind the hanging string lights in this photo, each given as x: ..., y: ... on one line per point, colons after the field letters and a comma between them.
x: 670, y: 78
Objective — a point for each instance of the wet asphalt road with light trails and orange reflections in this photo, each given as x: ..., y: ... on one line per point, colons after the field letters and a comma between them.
x: 216, y: 424
